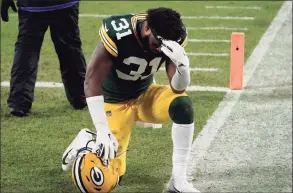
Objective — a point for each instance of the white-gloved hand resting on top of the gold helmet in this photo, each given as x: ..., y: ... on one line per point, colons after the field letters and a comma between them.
x: 106, y: 144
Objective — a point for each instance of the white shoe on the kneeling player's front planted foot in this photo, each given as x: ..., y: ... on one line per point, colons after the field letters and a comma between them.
x: 184, y: 187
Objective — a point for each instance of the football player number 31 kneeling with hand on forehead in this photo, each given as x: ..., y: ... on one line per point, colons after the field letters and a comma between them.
x: 120, y: 90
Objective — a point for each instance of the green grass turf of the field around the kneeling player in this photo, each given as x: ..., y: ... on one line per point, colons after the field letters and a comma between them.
x: 31, y: 147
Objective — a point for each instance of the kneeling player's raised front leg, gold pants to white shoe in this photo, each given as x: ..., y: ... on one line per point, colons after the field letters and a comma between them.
x: 160, y: 105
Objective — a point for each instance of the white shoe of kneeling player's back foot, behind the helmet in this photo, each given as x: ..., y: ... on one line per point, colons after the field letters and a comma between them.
x: 76, y: 147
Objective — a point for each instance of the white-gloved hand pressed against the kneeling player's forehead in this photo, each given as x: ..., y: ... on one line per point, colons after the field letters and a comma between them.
x: 176, y: 53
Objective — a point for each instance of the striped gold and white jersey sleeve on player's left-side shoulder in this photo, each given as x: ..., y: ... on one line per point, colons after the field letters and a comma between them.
x: 108, y: 37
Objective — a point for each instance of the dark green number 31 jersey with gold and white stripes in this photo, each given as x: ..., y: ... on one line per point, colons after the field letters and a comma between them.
x: 133, y: 67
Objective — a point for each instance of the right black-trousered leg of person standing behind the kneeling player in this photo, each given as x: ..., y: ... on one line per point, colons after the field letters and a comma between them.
x: 66, y: 38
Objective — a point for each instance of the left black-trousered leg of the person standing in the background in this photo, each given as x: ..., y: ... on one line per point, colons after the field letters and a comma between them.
x: 31, y: 30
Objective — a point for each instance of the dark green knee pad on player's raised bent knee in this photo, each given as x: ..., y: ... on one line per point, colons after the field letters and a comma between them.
x: 181, y: 110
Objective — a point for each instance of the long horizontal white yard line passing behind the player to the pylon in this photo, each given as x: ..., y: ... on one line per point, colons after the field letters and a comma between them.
x: 190, y: 88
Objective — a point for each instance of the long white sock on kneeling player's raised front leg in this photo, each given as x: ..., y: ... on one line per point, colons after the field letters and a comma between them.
x: 182, y: 136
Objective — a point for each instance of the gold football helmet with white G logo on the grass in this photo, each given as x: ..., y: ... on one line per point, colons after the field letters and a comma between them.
x: 91, y: 174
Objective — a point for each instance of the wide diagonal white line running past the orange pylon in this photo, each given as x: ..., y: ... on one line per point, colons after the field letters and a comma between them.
x: 216, y: 121
